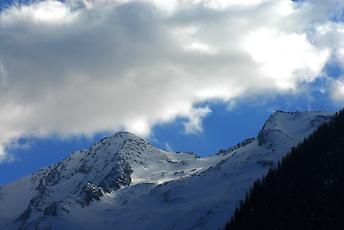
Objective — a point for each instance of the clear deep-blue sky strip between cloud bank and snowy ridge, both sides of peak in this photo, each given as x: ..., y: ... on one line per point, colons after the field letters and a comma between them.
x: 222, y: 129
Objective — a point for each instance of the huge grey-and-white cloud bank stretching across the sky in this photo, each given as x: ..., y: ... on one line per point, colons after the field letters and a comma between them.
x: 83, y: 67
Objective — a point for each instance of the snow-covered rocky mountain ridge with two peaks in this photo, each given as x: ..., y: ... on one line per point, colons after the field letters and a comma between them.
x: 123, y: 182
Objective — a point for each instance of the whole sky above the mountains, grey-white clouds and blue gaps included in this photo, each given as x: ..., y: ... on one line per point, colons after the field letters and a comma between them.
x: 192, y: 75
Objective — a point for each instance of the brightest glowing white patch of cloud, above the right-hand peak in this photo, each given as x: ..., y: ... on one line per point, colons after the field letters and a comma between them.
x: 287, y: 59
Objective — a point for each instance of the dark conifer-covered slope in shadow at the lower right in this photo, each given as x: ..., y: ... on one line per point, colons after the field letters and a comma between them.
x: 304, y: 191
